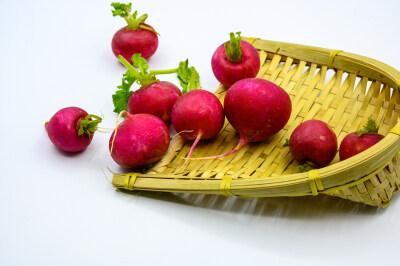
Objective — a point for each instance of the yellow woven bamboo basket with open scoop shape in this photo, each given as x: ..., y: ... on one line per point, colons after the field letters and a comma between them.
x: 339, y: 88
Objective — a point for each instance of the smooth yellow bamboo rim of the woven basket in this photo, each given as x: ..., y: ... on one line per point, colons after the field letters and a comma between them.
x: 331, y: 176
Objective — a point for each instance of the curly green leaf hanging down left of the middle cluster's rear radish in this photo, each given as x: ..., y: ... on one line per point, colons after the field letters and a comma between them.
x: 121, y: 96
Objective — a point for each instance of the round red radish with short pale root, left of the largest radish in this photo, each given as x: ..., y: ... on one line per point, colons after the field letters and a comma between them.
x: 198, y: 114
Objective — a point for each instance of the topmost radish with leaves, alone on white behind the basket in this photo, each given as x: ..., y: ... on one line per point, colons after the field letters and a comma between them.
x: 137, y: 37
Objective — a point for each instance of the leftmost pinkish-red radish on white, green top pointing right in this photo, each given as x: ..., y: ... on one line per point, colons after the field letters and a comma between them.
x: 71, y: 129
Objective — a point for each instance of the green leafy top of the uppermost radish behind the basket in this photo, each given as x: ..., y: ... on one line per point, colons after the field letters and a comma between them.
x: 134, y: 22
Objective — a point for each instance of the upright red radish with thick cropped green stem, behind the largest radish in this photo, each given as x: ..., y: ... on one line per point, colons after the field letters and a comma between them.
x: 235, y: 60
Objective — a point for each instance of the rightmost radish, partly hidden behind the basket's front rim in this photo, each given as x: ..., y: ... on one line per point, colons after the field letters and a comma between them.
x: 359, y: 141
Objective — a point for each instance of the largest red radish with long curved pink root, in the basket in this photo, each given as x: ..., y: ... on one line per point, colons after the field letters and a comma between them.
x: 257, y: 109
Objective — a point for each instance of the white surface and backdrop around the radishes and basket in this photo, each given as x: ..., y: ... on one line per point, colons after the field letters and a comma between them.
x: 58, y: 209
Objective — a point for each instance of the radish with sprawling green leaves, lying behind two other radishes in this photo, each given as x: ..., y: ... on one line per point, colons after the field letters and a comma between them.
x: 154, y: 97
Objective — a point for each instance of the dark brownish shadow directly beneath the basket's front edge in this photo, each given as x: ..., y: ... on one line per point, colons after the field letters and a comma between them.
x: 283, y: 207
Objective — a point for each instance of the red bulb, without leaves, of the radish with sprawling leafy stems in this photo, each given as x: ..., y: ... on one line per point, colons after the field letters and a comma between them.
x: 156, y: 99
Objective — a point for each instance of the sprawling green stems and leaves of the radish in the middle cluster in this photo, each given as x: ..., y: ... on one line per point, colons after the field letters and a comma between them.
x: 188, y: 77
